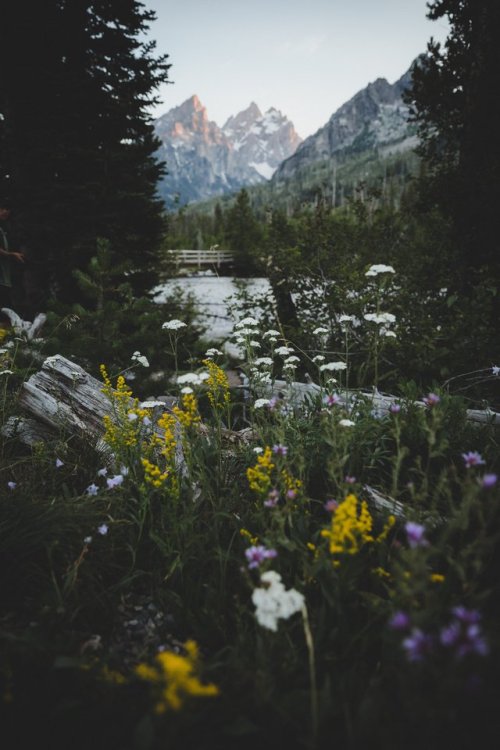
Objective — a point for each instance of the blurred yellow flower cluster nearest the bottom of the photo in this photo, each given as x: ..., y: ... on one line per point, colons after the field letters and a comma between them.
x: 174, y: 678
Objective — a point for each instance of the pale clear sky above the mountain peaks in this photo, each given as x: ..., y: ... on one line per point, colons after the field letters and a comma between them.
x: 303, y: 57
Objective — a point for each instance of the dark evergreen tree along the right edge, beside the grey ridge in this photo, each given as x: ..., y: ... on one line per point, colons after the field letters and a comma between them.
x: 454, y: 102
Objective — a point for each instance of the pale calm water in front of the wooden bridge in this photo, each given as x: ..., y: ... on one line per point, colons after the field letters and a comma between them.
x: 212, y: 295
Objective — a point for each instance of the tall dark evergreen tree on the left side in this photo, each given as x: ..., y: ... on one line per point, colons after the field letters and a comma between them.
x: 76, y: 79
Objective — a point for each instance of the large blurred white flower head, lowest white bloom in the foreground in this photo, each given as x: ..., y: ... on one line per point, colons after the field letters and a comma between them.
x: 273, y: 602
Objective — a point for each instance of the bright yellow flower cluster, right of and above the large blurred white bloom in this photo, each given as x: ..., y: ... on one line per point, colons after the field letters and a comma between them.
x: 351, y: 527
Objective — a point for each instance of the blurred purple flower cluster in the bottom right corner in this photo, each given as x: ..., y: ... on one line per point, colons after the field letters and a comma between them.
x: 462, y: 636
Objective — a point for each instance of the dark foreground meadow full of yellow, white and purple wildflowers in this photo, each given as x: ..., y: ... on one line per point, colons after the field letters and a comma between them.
x: 260, y: 564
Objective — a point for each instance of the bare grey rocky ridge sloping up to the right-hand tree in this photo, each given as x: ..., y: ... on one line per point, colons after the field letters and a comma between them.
x: 374, y: 120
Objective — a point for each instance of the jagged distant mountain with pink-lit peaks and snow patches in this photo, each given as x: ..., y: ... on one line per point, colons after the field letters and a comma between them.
x: 204, y: 160
